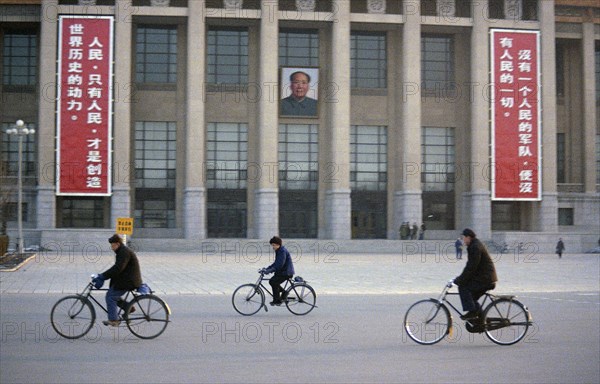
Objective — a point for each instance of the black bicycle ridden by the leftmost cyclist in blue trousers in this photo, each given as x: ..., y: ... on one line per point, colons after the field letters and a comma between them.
x: 146, y: 315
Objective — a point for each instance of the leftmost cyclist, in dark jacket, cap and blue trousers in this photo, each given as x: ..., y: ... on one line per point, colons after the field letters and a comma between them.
x: 124, y: 275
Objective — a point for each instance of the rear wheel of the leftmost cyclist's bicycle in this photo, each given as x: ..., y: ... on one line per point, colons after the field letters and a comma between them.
x: 147, y: 316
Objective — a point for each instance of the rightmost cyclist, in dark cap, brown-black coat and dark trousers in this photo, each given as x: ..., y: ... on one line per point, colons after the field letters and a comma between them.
x: 478, y: 276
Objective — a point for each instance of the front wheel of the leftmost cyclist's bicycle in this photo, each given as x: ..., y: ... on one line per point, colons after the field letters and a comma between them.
x: 72, y: 316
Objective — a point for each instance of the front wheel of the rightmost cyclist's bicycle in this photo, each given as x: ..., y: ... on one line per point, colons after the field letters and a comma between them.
x: 427, y: 321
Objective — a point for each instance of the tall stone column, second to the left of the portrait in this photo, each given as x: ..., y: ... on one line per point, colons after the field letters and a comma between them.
x: 194, y: 191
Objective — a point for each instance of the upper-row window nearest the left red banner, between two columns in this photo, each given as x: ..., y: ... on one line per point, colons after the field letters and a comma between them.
x: 156, y: 54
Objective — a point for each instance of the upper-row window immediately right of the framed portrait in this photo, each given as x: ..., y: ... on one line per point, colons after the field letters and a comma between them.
x: 368, y: 60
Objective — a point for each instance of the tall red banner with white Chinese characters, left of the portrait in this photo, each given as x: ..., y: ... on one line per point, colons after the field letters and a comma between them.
x: 84, y: 105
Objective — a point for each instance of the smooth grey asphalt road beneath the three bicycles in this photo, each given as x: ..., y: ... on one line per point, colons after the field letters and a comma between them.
x: 348, y: 339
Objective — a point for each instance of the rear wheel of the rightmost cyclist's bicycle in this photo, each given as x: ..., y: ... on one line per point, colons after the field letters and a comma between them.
x: 506, y: 321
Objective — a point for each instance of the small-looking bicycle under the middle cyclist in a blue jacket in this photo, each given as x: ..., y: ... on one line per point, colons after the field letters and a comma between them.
x: 298, y: 296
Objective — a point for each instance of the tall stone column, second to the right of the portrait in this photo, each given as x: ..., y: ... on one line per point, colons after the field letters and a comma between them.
x: 407, y: 200
